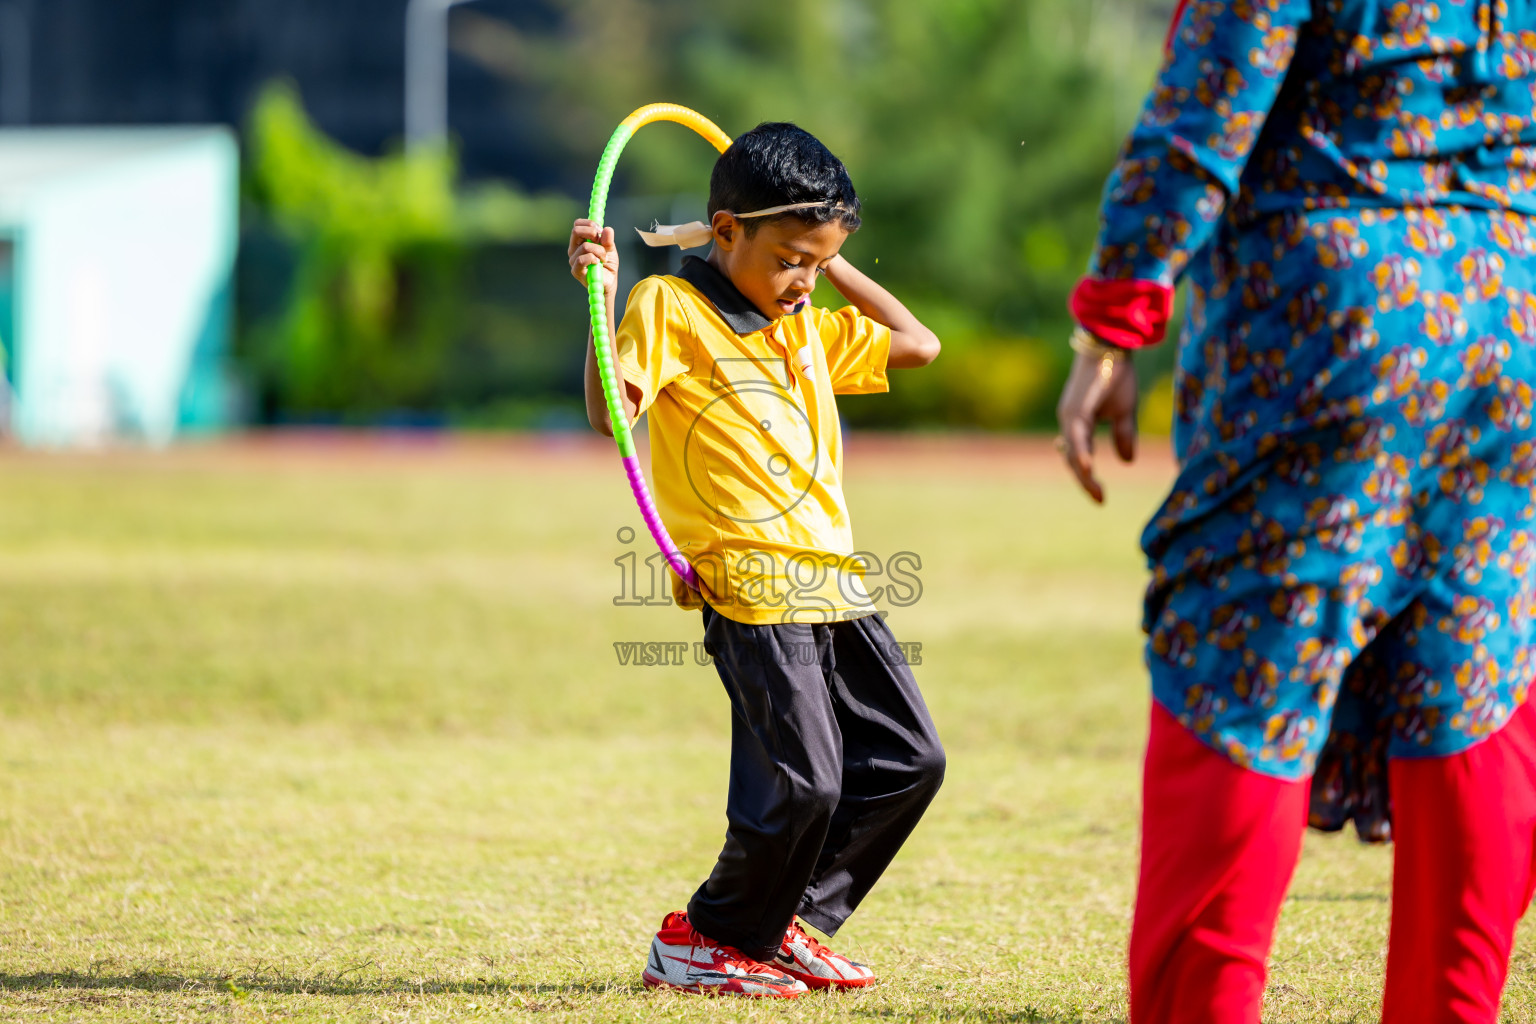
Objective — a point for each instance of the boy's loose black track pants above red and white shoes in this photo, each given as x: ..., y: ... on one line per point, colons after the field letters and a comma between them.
x: 833, y: 762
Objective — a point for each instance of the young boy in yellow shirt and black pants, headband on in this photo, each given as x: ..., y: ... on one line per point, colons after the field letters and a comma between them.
x: 833, y: 753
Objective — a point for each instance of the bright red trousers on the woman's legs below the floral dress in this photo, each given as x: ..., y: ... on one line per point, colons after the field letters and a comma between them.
x: 1220, y: 845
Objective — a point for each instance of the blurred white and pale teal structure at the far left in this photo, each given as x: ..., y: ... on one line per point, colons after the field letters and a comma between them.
x: 125, y: 280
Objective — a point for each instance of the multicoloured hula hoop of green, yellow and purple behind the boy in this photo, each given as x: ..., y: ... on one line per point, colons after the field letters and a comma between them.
x: 598, y: 306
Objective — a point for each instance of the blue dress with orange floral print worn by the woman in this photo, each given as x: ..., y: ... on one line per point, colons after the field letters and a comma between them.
x: 1346, y: 567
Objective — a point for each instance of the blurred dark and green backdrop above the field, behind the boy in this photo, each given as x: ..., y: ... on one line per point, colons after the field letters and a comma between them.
x: 428, y: 286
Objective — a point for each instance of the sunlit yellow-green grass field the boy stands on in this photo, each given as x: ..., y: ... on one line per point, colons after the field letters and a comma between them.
x: 337, y: 732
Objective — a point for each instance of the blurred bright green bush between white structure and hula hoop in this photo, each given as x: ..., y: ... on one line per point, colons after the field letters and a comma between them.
x: 374, y: 306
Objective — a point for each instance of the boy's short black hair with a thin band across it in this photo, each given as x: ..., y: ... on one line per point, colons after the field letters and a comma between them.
x: 776, y: 165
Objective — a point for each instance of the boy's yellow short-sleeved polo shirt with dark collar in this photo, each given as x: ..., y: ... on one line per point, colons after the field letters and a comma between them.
x: 747, y: 446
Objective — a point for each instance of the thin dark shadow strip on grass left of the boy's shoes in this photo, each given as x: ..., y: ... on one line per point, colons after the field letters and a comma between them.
x: 319, y: 985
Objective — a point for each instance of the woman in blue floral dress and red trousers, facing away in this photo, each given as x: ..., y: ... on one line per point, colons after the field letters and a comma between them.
x: 1345, y: 573
